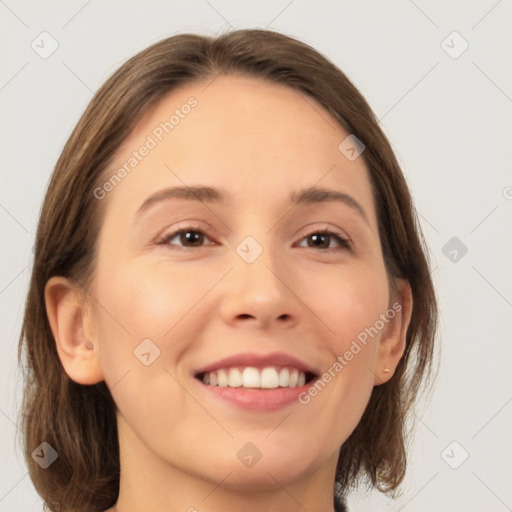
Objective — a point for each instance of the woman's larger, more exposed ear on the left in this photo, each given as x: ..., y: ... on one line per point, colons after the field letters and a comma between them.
x: 70, y: 323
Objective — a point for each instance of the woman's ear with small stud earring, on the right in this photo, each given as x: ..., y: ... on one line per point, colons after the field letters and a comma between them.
x: 393, y: 340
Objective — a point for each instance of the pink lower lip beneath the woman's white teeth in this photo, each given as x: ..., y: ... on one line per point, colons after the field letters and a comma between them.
x: 257, y: 399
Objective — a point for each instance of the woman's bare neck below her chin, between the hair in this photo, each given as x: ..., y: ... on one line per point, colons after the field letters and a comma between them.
x: 152, y: 484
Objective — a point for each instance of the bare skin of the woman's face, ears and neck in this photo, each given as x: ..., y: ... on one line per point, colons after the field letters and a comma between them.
x: 198, y: 303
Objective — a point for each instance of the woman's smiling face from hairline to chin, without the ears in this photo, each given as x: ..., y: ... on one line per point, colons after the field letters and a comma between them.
x: 253, y: 278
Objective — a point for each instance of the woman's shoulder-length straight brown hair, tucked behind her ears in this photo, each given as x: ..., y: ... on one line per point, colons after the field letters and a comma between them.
x: 78, y: 421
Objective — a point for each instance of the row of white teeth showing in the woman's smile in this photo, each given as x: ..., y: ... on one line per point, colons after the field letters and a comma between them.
x: 250, y: 377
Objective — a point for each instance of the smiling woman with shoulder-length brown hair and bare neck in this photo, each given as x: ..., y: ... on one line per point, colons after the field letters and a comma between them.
x: 231, y: 304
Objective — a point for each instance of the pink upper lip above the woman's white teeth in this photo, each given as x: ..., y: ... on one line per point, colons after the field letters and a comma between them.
x: 259, y: 361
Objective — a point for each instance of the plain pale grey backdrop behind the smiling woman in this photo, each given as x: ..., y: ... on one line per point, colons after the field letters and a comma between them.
x: 448, y: 118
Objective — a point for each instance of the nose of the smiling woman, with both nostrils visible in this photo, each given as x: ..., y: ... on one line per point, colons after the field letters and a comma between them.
x: 260, y: 293
